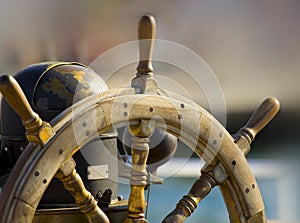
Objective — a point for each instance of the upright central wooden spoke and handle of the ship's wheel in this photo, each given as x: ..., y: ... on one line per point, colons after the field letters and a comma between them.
x: 143, y: 83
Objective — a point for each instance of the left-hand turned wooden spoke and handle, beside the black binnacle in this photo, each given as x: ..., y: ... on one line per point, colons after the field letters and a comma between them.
x: 40, y: 132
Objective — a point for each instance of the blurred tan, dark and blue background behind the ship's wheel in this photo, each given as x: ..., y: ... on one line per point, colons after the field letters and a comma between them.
x: 253, y: 48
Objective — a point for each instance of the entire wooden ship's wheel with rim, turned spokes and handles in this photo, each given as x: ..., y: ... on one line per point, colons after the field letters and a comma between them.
x: 49, y: 153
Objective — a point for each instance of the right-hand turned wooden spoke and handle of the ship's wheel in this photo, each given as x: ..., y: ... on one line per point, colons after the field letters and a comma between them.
x: 185, y: 207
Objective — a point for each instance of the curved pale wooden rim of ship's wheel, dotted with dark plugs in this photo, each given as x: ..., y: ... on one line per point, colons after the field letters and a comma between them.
x: 32, y: 174
